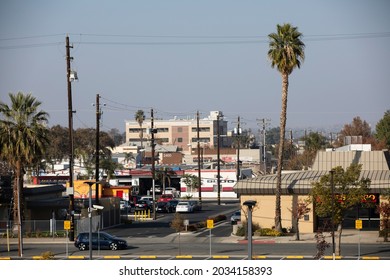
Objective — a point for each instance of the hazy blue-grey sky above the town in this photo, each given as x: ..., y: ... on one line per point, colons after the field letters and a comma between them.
x: 178, y: 57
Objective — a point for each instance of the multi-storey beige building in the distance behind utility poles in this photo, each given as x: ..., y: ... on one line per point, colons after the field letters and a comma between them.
x: 180, y: 132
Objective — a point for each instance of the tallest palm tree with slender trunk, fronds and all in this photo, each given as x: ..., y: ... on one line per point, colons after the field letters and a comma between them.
x: 286, y: 52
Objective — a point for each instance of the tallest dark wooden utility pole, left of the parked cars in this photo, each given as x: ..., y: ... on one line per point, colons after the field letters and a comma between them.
x: 70, y: 121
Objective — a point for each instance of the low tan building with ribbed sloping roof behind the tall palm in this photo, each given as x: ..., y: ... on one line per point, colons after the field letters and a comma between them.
x: 297, y: 185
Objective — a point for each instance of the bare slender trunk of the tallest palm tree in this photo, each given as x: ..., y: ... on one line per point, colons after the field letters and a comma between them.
x: 283, y: 119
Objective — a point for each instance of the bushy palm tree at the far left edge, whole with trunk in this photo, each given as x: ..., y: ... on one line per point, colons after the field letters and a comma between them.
x: 23, y: 139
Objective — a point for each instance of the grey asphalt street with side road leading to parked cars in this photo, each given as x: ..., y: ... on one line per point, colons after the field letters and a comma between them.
x: 157, y: 239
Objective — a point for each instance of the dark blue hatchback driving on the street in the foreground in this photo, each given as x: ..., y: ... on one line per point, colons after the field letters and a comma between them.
x: 100, y: 240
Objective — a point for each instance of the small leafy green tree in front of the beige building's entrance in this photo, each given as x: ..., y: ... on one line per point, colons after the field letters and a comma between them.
x: 348, y: 189
